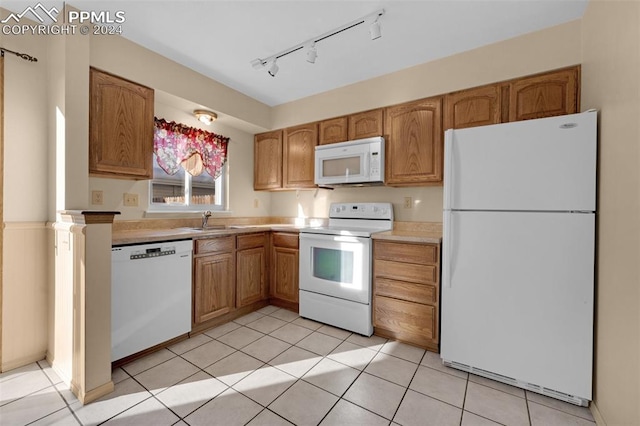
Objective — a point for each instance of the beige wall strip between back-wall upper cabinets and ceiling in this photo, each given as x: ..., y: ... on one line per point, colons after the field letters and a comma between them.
x: 539, y: 51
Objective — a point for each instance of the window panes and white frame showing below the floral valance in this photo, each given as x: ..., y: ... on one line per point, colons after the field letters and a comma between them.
x: 185, y: 192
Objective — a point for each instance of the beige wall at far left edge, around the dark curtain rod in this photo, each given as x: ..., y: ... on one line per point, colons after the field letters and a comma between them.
x: 25, y: 203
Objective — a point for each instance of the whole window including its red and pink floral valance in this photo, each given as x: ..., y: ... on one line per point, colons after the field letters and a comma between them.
x: 189, y: 167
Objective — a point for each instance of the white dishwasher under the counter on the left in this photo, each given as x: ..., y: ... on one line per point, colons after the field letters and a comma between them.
x: 150, y: 295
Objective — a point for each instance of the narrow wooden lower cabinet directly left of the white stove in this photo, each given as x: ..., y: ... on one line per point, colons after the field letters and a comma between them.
x: 284, y: 270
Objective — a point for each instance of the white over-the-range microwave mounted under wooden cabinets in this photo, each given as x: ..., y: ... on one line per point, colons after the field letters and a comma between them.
x: 358, y: 162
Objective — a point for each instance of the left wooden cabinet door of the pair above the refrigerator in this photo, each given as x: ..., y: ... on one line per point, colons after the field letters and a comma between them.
x: 474, y: 107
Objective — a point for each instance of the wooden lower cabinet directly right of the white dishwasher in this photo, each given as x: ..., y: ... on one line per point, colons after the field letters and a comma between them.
x: 214, y: 278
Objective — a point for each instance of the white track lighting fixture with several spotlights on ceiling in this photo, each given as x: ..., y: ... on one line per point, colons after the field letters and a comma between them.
x: 310, y: 45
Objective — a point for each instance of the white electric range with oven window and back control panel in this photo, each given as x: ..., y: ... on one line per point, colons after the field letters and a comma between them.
x: 335, y: 265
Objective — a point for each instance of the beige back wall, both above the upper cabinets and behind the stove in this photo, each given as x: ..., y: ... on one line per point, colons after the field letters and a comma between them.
x: 545, y: 50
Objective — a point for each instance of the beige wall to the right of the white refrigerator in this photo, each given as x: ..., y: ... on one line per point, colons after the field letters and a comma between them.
x: 611, y: 83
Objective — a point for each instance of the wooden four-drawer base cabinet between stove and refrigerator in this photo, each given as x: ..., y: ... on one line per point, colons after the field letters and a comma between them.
x: 406, y: 288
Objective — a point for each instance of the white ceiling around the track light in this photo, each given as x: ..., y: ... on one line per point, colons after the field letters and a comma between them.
x: 220, y: 38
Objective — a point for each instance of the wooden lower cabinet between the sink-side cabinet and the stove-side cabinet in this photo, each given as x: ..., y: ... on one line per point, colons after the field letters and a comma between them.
x: 251, y: 269
